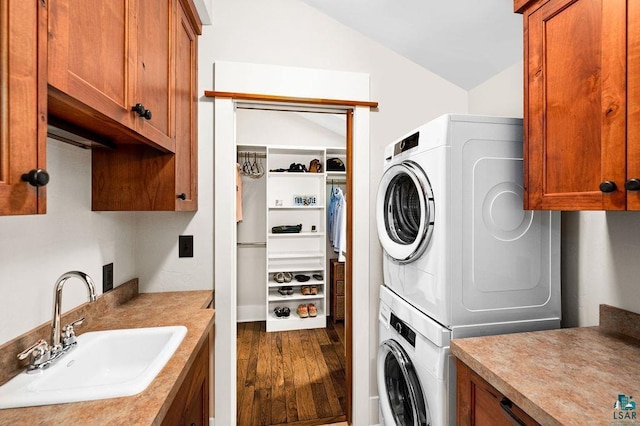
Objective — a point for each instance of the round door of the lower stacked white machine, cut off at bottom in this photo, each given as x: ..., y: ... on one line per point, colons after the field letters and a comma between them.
x: 401, y: 395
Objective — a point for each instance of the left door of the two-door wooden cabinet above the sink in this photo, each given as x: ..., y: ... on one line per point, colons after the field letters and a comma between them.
x: 90, y: 65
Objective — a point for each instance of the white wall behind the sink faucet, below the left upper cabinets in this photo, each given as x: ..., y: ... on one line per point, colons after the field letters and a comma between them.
x: 37, y: 249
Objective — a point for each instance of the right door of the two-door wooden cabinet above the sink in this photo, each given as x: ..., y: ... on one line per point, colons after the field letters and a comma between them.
x: 154, y: 83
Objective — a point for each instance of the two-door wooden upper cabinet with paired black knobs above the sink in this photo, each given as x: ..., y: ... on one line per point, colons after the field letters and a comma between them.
x: 107, y: 57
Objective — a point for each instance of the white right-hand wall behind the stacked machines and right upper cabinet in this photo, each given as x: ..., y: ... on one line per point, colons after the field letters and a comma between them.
x: 600, y: 251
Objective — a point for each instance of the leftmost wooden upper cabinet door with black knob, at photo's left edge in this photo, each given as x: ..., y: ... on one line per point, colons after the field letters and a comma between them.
x: 23, y: 116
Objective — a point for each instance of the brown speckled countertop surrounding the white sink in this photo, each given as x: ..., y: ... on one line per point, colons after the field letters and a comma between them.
x: 131, y: 311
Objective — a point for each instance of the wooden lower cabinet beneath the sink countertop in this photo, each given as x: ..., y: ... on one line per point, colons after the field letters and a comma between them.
x: 191, y: 404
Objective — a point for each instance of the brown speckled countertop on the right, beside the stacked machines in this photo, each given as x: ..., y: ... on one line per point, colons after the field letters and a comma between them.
x: 569, y: 376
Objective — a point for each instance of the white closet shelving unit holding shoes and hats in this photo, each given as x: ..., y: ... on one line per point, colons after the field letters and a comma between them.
x: 302, y: 253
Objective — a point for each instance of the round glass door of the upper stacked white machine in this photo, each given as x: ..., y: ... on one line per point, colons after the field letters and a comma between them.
x: 405, y: 211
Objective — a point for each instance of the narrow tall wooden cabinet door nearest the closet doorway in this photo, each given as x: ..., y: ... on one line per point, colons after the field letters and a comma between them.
x: 186, y: 114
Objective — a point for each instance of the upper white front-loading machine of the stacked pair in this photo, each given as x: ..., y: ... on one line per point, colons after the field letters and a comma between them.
x: 457, y: 243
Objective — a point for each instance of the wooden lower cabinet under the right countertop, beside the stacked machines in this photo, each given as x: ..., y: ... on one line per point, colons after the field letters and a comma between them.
x: 479, y: 403
